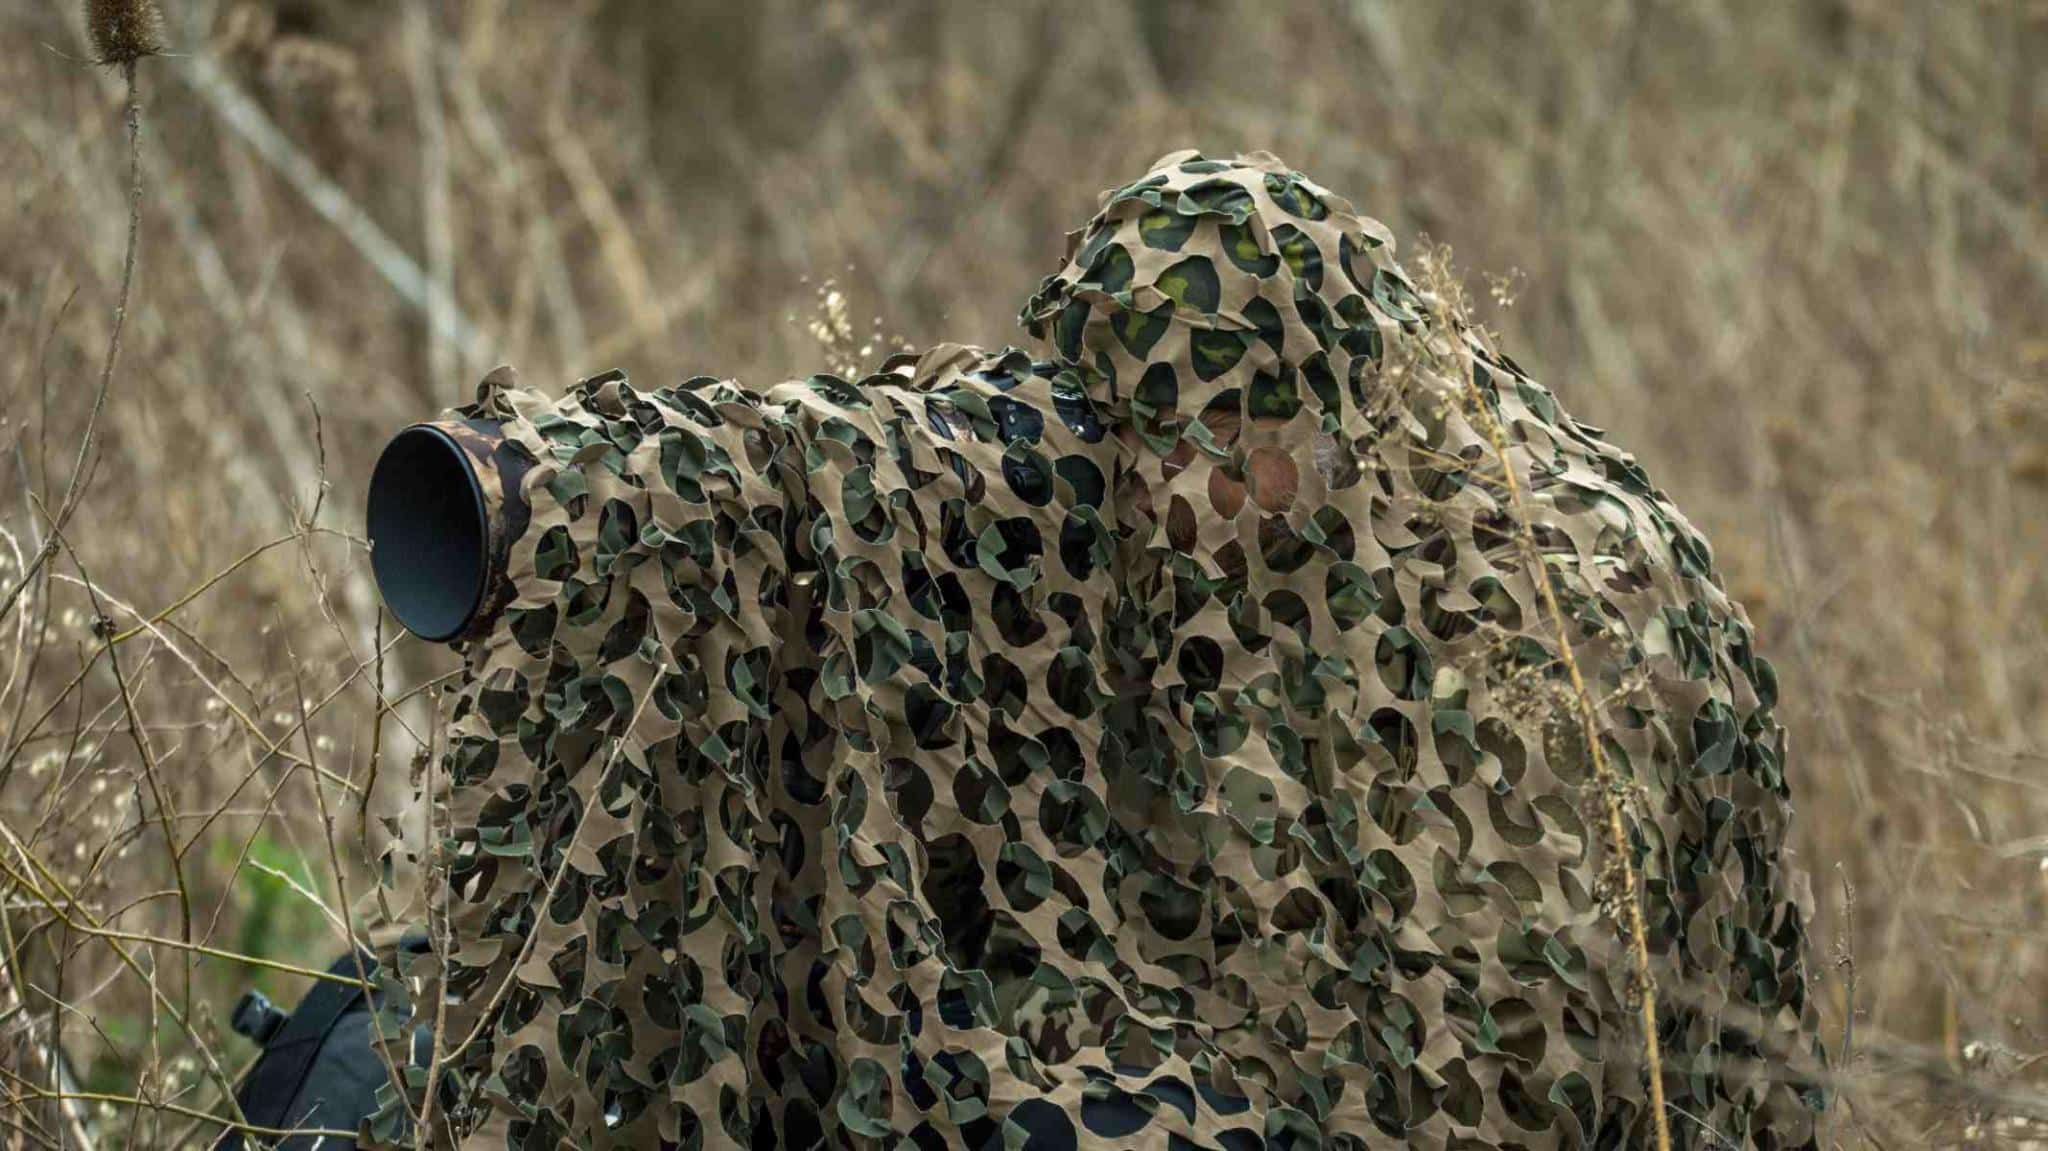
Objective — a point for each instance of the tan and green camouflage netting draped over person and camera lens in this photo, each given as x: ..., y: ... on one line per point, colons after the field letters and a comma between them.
x: 1144, y: 740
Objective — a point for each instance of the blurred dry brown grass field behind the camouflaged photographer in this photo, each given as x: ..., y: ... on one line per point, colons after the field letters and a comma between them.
x: 1793, y: 255
